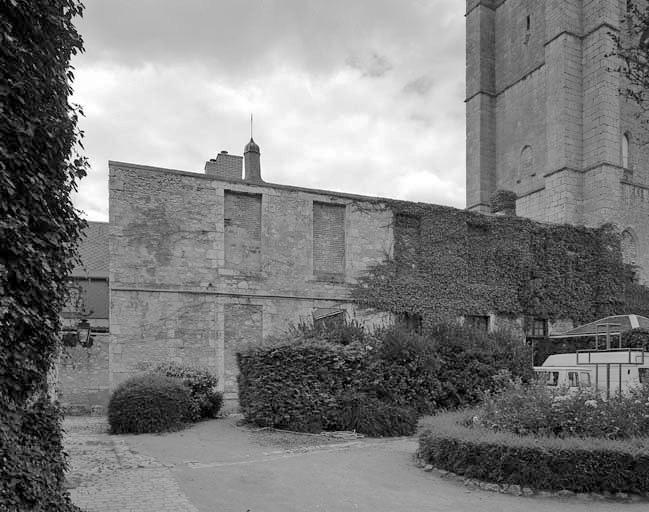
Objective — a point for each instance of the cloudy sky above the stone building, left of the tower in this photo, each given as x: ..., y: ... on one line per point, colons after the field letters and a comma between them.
x: 361, y: 96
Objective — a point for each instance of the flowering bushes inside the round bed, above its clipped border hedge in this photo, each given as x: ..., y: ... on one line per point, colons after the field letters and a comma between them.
x: 535, y: 409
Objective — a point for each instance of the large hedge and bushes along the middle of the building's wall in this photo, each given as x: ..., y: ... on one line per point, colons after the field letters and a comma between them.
x: 301, y: 383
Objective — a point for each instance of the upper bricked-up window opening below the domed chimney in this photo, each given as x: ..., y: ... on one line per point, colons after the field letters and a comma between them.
x: 242, y: 231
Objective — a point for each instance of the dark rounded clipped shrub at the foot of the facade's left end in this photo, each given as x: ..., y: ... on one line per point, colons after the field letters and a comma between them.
x: 149, y: 403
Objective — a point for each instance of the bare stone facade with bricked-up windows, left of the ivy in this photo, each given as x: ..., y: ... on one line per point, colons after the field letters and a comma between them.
x: 201, y: 264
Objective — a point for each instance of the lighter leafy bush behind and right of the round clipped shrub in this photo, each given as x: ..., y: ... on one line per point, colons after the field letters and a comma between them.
x: 206, y: 401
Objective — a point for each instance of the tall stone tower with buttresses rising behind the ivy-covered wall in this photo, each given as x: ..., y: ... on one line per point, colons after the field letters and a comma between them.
x: 544, y: 117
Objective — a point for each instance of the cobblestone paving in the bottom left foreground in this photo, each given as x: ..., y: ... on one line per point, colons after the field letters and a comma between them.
x: 106, y: 476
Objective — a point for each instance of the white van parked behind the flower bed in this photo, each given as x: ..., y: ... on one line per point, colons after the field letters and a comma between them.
x: 601, y: 370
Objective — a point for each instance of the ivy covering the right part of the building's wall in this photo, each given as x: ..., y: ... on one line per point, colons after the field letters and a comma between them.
x: 449, y: 262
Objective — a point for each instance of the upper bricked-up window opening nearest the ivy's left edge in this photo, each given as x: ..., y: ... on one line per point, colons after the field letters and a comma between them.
x: 329, y: 240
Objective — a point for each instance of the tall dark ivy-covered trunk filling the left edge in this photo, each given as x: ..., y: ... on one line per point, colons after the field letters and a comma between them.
x: 39, y: 230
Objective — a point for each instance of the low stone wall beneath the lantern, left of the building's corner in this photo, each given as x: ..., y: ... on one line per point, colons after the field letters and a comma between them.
x: 82, y: 375
